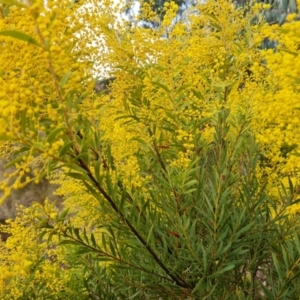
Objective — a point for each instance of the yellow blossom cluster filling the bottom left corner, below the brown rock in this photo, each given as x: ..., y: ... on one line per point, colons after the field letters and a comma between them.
x: 21, y: 254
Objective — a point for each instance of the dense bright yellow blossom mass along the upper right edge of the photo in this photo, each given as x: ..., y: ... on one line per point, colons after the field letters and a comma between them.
x: 279, y: 110
